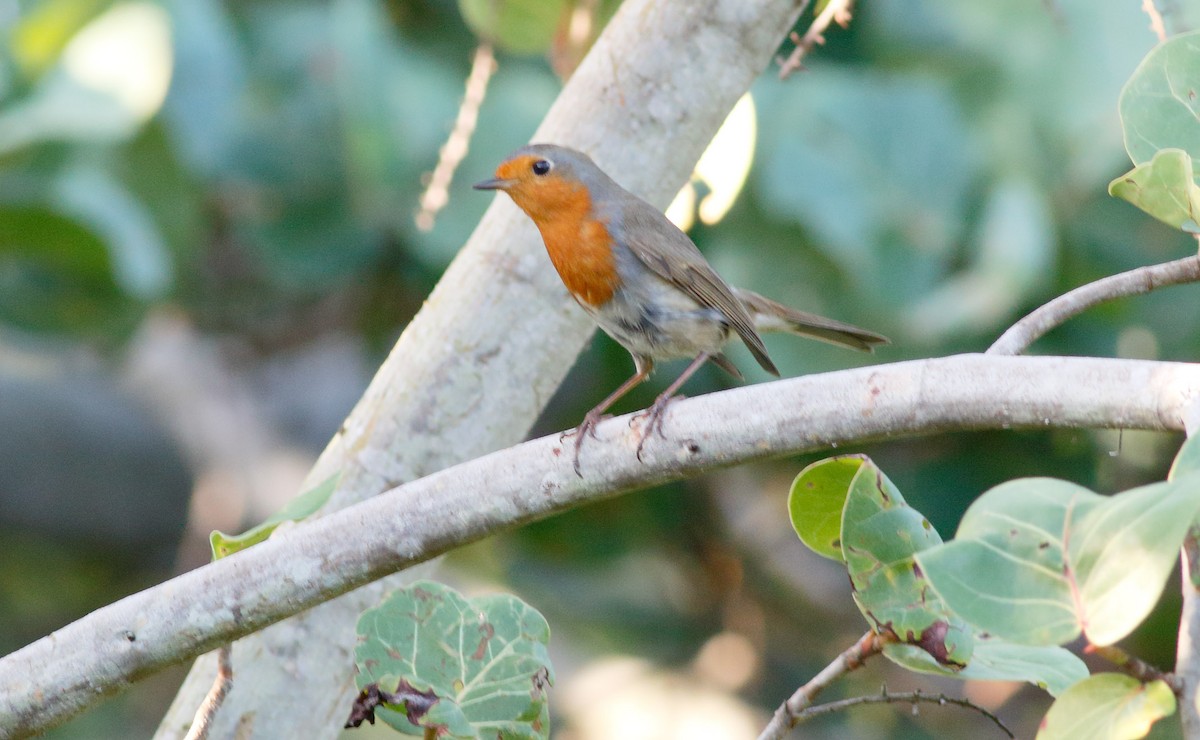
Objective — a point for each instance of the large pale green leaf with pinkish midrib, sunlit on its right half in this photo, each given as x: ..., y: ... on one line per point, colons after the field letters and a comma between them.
x: 1039, y: 561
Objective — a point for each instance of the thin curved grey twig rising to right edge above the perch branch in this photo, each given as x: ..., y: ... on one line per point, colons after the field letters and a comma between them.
x: 1135, y: 282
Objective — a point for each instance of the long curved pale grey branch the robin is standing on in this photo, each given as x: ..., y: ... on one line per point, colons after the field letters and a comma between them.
x: 307, y: 564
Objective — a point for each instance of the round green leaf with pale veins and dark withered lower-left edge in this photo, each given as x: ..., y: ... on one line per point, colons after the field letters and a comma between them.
x: 484, y: 663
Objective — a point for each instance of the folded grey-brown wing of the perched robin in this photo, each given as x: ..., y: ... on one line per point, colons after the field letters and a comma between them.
x: 675, y: 258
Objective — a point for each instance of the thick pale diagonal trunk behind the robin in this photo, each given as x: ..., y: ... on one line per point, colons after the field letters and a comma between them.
x: 475, y: 370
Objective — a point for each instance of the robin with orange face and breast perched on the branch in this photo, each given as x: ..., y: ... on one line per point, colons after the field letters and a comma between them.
x: 643, y: 280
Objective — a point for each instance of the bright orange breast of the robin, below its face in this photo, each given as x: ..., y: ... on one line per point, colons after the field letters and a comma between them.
x: 581, y: 250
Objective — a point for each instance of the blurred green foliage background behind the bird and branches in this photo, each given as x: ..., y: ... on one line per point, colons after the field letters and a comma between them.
x: 208, y: 244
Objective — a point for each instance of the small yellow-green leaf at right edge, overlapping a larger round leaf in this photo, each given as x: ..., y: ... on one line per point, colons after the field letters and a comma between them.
x: 1166, y: 189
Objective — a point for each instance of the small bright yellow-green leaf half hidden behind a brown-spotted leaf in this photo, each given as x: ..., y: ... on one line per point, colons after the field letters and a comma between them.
x: 817, y: 501
